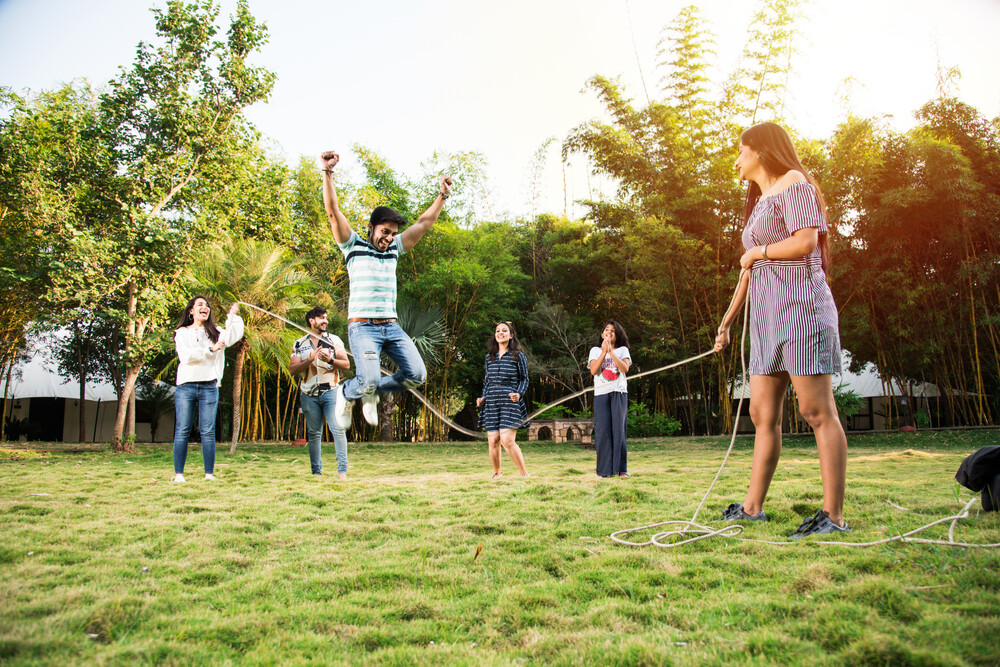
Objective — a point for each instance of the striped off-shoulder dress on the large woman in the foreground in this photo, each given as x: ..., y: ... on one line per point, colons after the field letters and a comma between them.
x: 793, y: 319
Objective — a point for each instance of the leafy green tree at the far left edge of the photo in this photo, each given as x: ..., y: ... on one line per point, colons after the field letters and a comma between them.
x: 56, y: 269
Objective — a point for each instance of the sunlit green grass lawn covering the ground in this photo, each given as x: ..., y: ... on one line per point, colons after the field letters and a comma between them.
x: 103, y: 561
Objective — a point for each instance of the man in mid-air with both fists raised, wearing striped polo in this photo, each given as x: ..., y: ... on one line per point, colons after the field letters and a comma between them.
x: 372, y: 327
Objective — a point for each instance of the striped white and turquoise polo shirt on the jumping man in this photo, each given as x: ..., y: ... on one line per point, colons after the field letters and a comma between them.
x: 372, y: 275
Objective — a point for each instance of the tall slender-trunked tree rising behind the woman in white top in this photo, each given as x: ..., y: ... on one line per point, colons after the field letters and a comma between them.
x: 170, y: 124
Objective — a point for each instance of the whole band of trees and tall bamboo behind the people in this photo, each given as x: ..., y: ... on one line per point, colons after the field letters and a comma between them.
x: 98, y: 225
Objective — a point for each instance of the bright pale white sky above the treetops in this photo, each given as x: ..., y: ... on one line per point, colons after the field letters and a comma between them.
x: 408, y: 77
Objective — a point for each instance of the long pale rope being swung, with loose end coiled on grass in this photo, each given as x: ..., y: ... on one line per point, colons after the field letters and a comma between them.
x: 682, y: 529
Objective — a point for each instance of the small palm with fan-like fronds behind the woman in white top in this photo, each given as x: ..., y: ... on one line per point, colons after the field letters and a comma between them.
x: 265, y: 274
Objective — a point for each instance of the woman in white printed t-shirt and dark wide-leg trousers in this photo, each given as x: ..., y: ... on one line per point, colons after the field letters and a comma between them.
x: 609, y: 362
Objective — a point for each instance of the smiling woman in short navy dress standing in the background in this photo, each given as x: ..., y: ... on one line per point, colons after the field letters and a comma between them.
x: 502, y: 402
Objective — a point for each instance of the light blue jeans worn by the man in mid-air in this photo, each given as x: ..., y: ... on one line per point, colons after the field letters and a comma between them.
x: 367, y: 342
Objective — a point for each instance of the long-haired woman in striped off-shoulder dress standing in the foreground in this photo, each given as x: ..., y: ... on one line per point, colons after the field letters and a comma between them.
x: 793, y: 321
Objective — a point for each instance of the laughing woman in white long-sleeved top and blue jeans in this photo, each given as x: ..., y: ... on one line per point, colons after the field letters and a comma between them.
x: 201, y: 350
